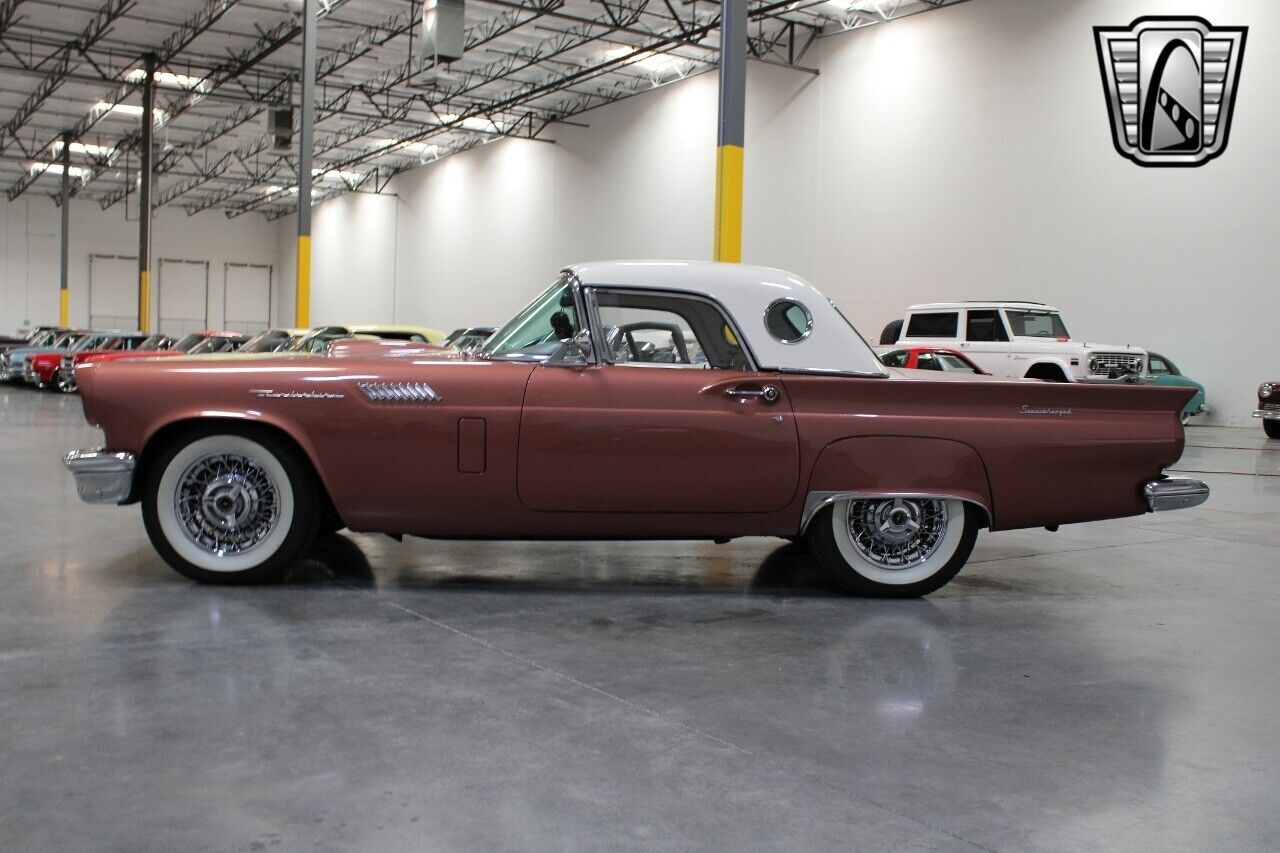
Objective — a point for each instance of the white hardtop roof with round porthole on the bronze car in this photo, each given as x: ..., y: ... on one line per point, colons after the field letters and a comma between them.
x: 747, y: 293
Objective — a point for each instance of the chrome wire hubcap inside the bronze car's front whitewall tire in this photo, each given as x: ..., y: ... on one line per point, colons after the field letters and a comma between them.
x: 227, y: 504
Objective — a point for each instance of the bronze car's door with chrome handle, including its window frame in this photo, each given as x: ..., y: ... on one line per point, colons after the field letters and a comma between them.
x: 671, y: 417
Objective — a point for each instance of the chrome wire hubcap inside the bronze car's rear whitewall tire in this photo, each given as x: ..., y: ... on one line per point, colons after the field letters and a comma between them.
x: 897, y: 533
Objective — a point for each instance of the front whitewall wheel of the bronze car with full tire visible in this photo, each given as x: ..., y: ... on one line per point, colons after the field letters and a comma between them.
x: 231, y: 508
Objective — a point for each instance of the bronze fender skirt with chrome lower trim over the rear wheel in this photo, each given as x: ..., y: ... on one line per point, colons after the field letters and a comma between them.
x: 898, y: 466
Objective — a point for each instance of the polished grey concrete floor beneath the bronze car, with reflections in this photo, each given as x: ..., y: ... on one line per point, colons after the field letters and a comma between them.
x: 1113, y: 686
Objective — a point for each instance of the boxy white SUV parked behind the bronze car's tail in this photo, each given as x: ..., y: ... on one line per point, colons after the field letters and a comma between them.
x: 1017, y: 340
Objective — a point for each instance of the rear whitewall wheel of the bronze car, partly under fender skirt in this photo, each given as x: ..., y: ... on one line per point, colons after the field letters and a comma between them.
x: 894, y: 548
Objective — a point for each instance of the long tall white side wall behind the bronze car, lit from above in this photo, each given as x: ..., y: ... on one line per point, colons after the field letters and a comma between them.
x: 959, y: 154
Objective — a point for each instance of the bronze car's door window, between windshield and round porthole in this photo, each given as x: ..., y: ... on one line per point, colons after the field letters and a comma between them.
x: 668, y: 330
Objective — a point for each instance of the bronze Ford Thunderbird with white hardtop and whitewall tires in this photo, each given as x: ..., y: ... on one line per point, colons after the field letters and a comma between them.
x: 632, y: 402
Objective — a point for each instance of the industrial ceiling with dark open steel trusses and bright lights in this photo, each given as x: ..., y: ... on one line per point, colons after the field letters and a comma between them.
x: 71, y: 70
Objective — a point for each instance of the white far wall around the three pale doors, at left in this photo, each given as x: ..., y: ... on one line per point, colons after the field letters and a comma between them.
x: 30, y: 262
